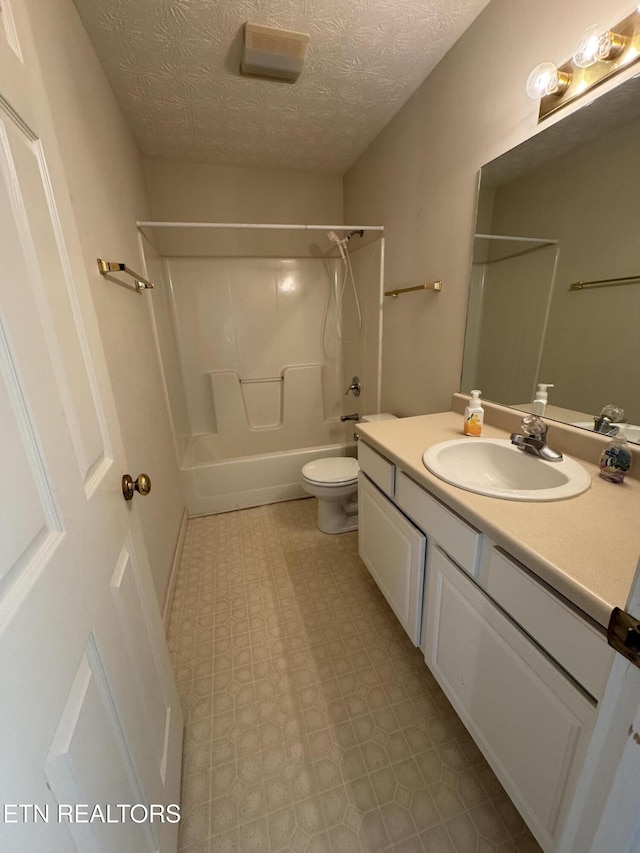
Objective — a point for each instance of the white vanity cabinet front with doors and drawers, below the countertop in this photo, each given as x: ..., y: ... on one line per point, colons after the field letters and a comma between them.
x: 522, y: 667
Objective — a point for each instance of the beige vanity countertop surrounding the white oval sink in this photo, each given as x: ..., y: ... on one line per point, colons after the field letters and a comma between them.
x: 586, y: 548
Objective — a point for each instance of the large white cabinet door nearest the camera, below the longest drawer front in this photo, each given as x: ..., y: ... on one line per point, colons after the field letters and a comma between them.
x: 531, y: 722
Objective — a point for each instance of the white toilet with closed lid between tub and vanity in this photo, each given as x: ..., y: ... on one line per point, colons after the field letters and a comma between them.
x: 334, y: 481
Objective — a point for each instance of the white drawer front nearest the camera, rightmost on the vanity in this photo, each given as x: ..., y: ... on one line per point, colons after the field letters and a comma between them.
x: 572, y: 641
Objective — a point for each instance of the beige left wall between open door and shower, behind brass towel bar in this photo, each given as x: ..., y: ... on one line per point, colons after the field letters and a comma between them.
x: 106, y: 183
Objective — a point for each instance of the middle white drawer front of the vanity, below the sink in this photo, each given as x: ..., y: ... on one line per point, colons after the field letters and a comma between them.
x: 461, y: 541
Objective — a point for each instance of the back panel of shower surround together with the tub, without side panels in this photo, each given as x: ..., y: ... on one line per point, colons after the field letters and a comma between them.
x: 262, y: 374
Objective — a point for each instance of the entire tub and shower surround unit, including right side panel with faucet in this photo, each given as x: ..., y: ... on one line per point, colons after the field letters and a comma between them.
x: 257, y: 358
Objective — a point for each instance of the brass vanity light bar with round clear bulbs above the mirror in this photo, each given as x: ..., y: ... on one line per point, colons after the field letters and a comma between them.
x: 600, y: 54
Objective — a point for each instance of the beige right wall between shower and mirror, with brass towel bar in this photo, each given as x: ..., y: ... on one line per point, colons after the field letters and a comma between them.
x: 418, y: 179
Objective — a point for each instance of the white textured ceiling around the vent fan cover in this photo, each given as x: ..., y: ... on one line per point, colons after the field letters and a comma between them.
x: 173, y: 65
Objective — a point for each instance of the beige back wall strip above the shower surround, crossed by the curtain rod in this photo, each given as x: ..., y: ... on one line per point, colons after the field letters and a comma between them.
x: 184, y: 192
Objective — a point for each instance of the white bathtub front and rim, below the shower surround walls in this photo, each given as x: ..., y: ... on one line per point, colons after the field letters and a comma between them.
x: 220, y: 486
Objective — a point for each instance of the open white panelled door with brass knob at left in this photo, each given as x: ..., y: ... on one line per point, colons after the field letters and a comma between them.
x: 89, y: 714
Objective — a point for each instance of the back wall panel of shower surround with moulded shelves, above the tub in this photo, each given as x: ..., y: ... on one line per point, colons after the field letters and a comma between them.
x: 255, y: 344
